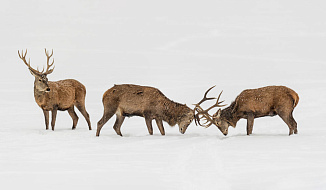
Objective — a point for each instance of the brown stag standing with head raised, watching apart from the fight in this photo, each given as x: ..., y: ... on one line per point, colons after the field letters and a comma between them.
x: 60, y: 95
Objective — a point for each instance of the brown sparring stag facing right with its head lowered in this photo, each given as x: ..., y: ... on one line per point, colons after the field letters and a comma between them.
x: 128, y: 100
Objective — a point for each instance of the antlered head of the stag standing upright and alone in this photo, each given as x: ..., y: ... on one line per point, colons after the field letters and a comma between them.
x: 41, y: 80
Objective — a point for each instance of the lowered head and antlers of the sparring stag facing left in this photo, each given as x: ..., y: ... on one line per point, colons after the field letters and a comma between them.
x: 210, y: 119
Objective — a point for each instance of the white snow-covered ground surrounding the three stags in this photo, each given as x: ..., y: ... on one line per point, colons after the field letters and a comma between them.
x: 182, y: 48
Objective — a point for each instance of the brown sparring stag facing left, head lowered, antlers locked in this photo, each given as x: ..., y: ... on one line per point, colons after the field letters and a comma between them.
x: 251, y: 104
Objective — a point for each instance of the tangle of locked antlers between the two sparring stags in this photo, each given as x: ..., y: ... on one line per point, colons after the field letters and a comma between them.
x: 203, y: 114
